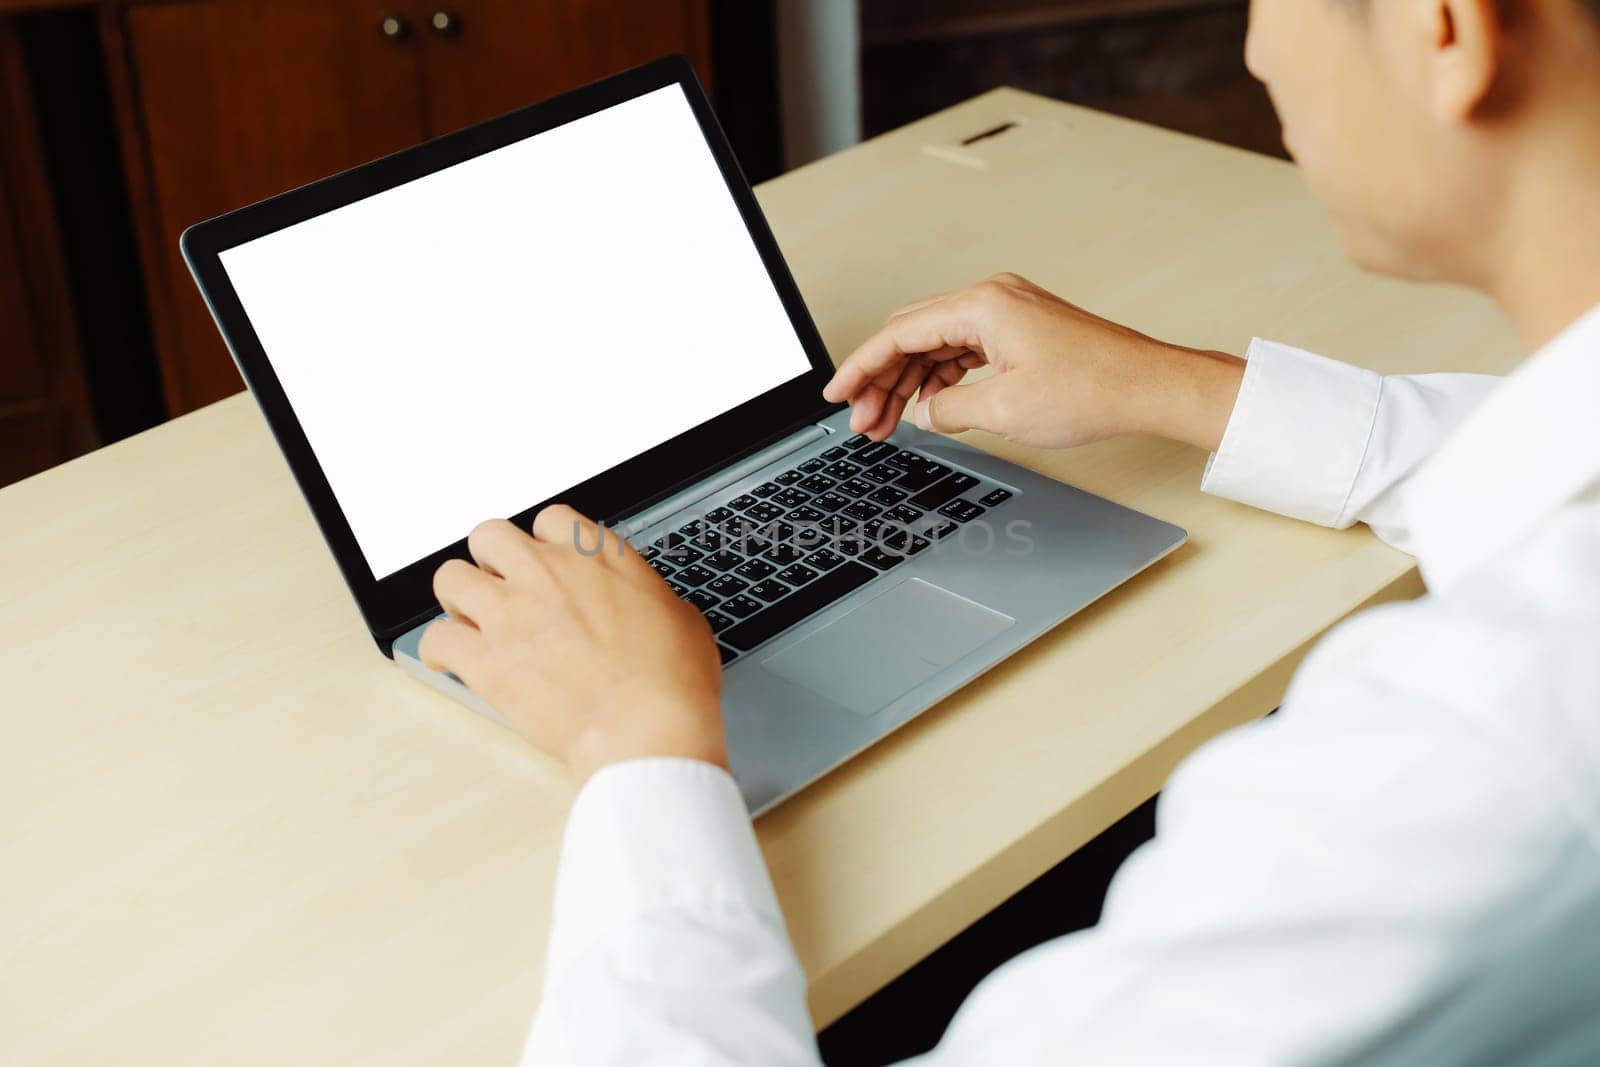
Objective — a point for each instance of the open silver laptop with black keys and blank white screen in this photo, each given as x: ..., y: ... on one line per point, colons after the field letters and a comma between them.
x: 580, y: 302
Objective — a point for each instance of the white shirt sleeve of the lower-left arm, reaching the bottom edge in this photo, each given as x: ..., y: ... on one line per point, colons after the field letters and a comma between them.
x: 666, y: 943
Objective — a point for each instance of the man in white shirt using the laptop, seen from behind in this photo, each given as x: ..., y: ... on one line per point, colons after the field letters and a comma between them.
x: 1404, y: 866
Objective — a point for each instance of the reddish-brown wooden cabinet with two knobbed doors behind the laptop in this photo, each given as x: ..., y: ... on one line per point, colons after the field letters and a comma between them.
x: 230, y: 102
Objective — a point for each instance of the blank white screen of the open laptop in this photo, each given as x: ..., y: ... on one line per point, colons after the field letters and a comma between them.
x: 479, y: 340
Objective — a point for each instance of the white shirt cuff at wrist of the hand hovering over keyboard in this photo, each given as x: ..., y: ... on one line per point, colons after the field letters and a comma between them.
x: 1298, y: 434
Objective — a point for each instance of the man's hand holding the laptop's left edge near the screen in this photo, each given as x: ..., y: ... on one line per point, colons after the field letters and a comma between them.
x: 588, y: 653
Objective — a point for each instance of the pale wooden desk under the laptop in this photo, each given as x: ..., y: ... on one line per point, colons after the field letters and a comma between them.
x: 231, y: 833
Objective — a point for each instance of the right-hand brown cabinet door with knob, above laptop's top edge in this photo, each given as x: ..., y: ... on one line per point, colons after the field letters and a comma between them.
x: 497, y: 55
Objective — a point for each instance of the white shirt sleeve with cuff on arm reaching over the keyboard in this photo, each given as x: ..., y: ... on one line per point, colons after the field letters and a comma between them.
x: 1330, y: 442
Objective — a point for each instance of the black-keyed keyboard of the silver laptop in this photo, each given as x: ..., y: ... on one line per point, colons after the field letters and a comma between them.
x: 791, y: 546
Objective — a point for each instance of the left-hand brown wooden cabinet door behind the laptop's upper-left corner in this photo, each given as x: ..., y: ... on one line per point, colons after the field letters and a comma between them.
x: 241, y: 100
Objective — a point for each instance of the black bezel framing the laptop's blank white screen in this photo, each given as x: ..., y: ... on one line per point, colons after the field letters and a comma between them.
x: 401, y: 601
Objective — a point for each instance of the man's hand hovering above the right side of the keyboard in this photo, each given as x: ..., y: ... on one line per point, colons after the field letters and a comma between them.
x: 1063, y: 377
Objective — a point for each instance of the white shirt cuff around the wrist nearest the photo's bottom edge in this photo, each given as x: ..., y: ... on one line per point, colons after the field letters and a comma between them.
x: 649, y: 837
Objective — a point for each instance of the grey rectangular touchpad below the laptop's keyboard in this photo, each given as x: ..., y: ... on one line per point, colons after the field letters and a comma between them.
x: 887, y: 647
